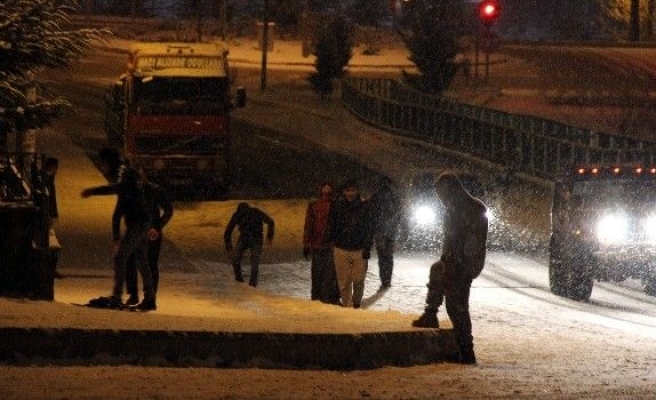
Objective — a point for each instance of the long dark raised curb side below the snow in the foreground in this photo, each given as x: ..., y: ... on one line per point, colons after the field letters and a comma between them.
x: 69, y: 346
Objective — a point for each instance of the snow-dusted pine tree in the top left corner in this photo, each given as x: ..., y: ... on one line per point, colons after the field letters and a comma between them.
x: 34, y: 34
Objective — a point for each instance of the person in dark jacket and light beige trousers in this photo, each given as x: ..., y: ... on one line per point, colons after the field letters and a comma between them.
x: 350, y: 236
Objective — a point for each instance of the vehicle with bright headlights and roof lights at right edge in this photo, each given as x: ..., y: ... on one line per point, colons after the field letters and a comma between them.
x: 603, y: 228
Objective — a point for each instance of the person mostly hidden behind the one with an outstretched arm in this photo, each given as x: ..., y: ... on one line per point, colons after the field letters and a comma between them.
x: 160, y: 211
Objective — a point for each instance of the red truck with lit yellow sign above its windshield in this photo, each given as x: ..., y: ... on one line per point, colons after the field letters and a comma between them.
x: 170, y: 113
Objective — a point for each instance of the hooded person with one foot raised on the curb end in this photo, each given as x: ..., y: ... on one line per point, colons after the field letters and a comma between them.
x: 465, y: 228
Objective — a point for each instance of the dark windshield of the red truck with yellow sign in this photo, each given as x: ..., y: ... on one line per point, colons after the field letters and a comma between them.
x: 182, y: 96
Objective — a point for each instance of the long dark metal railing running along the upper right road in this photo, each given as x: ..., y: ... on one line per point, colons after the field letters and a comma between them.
x: 529, y: 144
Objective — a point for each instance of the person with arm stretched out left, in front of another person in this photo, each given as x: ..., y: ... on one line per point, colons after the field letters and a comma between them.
x: 132, y: 209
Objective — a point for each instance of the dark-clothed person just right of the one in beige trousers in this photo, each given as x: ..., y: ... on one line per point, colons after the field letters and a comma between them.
x: 386, y: 212
